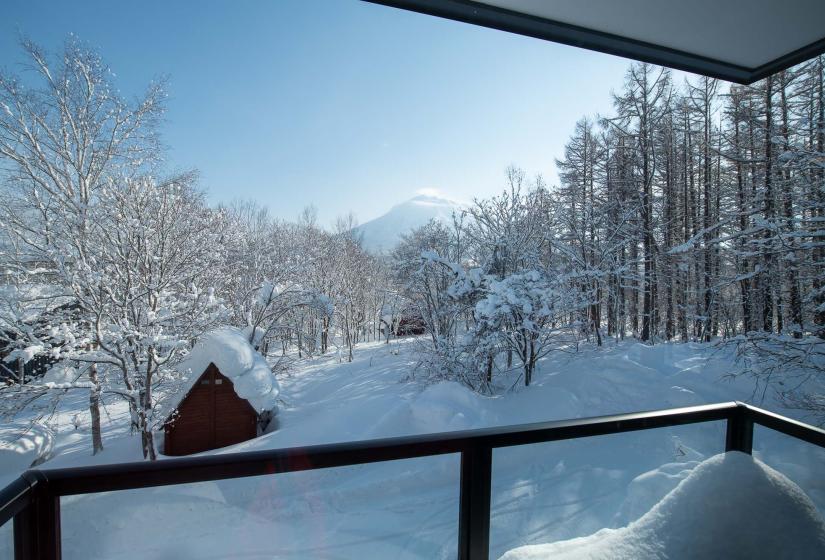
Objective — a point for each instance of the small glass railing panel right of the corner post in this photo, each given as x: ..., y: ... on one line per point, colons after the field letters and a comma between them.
x: 800, y: 461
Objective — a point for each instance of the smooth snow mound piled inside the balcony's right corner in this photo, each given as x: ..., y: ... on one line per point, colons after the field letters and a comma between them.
x: 730, y: 506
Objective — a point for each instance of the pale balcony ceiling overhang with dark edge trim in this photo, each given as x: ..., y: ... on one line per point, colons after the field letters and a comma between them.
x: 736, y: 40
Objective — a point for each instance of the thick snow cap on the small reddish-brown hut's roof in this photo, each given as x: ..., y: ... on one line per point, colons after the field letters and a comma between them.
x: 230, y: 351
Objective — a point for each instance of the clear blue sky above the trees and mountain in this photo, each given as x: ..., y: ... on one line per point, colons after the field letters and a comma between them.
x: 338, y: 103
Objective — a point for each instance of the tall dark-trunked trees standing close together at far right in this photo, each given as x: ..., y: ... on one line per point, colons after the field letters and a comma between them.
x: 699, y: 206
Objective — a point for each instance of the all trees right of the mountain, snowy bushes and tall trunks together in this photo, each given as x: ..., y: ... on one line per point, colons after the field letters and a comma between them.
x: 693, y: 212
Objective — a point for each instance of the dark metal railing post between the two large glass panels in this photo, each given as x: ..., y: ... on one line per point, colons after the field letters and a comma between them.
x: 474, y: 506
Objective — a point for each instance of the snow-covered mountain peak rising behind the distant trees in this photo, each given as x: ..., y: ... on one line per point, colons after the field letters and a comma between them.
x: 383, y: 233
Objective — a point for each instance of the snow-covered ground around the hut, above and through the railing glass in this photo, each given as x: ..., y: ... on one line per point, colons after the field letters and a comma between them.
x: 409, y: 509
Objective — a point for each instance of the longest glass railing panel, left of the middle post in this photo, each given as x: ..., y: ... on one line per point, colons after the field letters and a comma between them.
x: 397, y: 510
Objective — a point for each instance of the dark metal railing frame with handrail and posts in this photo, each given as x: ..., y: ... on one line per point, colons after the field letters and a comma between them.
x: 33, y: 500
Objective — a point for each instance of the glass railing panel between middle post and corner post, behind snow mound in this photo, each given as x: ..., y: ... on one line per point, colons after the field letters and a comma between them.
x: 560, y: 490
